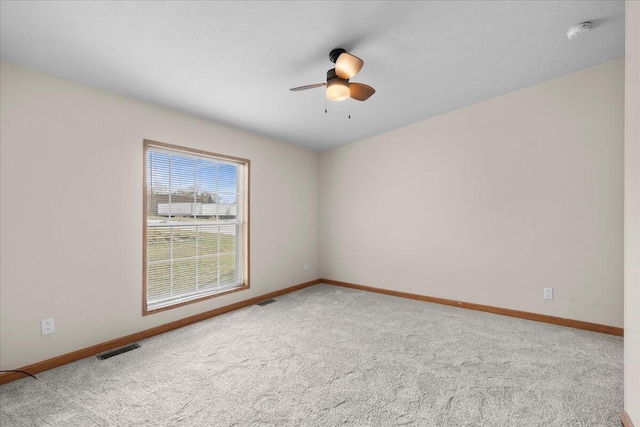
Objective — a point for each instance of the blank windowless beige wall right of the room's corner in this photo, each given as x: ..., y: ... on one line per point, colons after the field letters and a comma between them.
x: 490, y: 203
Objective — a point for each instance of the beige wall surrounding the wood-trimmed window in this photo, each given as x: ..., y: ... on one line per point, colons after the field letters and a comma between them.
x: 71, y: 223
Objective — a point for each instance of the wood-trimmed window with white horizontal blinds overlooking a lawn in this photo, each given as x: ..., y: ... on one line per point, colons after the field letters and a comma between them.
x: 195, y: 225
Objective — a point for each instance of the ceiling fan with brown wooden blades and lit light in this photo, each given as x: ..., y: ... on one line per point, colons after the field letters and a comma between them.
x: 338, y: 86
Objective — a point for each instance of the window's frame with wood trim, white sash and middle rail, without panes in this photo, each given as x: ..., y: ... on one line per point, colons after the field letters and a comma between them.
x: 241, y: 223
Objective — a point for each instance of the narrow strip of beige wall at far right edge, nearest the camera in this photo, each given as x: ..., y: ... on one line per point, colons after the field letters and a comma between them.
x: 632, y: 216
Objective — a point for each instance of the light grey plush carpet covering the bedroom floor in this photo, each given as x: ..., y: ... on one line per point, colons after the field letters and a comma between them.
x: 326, y: 356
